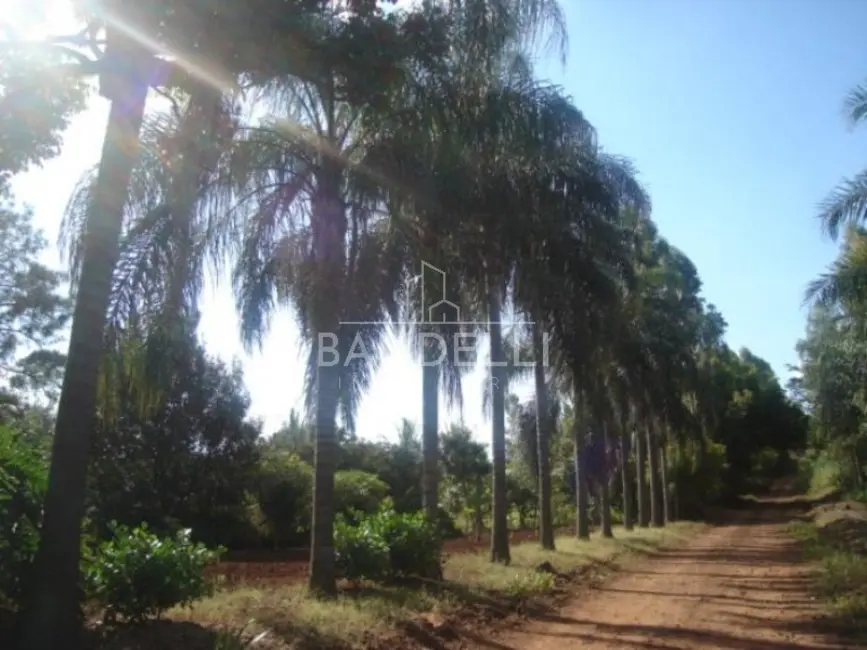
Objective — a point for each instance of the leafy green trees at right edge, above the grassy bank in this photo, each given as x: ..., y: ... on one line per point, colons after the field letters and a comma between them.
x: 830, y: 383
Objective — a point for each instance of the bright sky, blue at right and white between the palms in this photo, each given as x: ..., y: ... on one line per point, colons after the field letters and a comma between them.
x: 731, y: 110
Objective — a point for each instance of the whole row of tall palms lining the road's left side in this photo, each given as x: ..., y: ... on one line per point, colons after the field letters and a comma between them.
x: 454, y: 154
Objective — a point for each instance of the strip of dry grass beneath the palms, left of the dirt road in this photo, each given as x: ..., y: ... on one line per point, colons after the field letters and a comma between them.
x: 292, y: 619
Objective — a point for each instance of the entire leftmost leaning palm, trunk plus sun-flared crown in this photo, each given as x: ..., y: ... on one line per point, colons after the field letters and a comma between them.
x: 126, y: 68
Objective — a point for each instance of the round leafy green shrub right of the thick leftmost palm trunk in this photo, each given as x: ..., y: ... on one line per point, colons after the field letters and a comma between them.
x: 137, y: 575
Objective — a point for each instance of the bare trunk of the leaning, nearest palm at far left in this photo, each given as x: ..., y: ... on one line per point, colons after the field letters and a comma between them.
x: 51, y: 619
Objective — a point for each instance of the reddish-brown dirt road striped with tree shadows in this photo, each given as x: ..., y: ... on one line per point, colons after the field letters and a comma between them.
x: 735, y: 587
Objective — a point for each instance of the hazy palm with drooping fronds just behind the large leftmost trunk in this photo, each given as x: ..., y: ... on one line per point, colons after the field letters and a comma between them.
x: 165, y: 237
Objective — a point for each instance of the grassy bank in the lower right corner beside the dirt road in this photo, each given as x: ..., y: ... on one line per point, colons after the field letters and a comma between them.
x: 841, y: 579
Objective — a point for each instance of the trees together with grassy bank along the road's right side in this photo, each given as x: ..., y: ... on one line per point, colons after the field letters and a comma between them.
x: 830, y: 387
